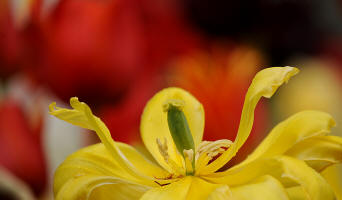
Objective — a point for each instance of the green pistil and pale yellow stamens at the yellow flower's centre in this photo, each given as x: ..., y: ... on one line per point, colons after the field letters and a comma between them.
x: 194, y: 161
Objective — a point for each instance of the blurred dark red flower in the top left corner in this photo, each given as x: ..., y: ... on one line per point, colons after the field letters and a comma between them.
x: 17, y: 19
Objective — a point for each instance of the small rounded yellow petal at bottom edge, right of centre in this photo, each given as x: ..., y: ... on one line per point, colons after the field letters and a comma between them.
x: 263, y: 188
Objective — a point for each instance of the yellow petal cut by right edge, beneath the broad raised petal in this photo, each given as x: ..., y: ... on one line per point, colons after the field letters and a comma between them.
x: 318, y: 152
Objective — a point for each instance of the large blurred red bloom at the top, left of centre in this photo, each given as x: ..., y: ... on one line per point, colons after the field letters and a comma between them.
x: 97, y: 49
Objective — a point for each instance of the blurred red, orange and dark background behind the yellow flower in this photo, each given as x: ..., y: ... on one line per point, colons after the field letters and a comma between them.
x: 115, y: 54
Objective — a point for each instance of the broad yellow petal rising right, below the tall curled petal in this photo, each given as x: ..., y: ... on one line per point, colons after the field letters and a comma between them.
x: 291, y: 131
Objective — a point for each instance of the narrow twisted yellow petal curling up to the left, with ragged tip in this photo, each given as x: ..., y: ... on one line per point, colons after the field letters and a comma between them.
x: 82, y: 116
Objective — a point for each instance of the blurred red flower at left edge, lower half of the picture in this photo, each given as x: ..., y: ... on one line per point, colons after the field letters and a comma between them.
x: 20, y: 146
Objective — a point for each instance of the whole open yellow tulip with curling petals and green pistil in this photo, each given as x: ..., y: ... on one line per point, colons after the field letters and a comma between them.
x: 286, y: 165
